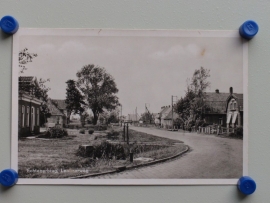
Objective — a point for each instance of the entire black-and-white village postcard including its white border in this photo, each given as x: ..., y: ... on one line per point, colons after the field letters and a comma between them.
x: 129, y: 107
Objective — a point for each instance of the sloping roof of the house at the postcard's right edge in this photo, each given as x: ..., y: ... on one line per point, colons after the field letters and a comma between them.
x: 217, y: 102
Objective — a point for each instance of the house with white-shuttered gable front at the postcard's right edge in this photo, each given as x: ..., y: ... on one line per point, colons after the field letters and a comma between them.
x: 225, y: 109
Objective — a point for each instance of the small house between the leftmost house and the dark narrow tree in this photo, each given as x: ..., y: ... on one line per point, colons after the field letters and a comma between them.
x: 58, y: 113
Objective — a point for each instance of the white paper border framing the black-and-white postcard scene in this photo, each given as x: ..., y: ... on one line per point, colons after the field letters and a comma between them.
x: 111, y: 32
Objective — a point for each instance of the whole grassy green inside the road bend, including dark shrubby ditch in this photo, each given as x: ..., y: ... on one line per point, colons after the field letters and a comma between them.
x: 66, y: 153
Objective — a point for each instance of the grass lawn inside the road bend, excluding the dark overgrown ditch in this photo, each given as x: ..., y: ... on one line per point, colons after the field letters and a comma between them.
x: 58, y: 158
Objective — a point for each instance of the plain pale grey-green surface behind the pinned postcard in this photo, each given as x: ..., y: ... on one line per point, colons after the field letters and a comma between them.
x: 142, y: 14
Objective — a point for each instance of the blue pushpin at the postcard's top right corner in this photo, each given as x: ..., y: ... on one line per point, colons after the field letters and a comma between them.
x: 249, y: 29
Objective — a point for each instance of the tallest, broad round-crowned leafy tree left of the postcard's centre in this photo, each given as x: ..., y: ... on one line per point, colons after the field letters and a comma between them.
x: 98, y: 89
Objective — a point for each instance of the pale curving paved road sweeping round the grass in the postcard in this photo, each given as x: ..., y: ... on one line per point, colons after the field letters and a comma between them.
x: 209, y: 157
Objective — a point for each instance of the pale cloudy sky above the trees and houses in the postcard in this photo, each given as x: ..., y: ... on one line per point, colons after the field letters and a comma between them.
x: 147, y: 70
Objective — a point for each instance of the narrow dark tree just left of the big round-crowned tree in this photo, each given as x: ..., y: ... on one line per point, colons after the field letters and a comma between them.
x: 74, y: 99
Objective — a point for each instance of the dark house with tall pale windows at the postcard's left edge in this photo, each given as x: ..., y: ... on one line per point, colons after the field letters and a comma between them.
x: 29, y: 106
